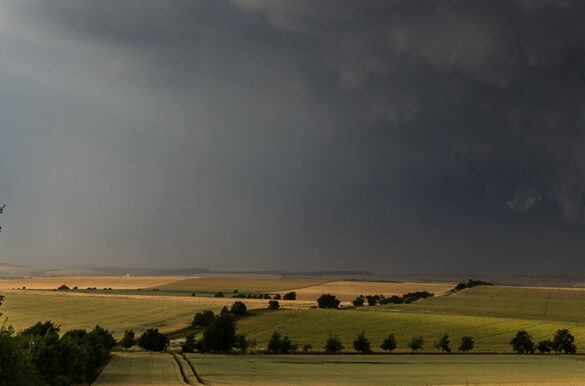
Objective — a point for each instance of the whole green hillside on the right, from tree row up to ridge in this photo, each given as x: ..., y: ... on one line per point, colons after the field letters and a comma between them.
x: 491, y: 315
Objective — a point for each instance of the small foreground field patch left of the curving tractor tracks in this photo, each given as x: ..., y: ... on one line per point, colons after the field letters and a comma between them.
x: 141, y: 368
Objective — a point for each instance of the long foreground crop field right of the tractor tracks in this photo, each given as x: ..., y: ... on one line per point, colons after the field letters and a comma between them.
x: 384, y: 369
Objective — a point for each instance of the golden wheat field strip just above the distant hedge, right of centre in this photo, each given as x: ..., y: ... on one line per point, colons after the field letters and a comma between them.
x: 346, y: 291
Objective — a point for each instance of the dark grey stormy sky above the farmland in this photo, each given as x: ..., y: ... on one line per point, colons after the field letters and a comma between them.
x: 394, y: 136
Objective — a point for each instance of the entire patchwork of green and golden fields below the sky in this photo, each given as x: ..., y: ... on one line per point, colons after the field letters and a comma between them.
x: 490, y: 314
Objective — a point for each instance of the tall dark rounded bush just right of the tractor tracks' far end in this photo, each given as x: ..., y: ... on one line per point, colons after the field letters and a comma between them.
x: 220, y: 335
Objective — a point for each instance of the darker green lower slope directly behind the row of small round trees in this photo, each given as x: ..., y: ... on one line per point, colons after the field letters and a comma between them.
x: 313, y: 327
